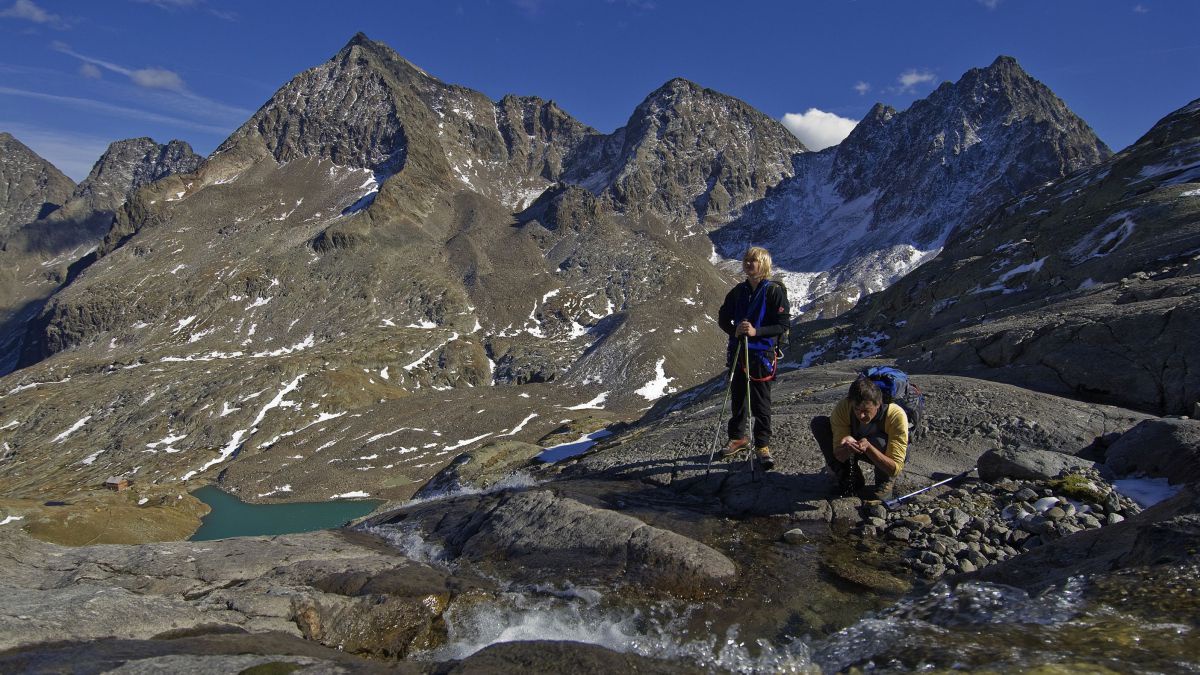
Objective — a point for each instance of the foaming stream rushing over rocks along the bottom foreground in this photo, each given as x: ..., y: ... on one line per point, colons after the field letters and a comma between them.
x: 791, y: 616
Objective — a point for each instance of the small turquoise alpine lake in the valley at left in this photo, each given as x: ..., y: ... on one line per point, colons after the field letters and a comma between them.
x: 232, y: 517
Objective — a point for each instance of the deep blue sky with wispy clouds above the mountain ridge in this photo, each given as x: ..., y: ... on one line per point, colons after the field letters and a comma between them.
x: 76, y: 76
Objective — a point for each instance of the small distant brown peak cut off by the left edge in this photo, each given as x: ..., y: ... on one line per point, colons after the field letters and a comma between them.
x: 31, y: 188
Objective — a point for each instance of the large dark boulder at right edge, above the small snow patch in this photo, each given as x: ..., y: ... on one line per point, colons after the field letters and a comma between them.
x: 1160, y: 447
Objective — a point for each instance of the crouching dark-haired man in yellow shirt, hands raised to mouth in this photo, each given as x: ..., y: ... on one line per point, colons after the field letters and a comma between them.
x: 863, y: 428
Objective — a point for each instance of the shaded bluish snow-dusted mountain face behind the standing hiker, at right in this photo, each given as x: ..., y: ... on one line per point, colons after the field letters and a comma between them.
x: 862, y: 214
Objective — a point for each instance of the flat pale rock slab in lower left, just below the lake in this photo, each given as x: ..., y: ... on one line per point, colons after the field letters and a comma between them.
x: 341, y: 590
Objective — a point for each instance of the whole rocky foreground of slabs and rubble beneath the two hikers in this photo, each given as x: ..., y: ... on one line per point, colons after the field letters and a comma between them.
x: 640, y: 531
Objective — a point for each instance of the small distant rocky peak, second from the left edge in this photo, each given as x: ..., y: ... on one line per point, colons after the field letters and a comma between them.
x: 129, y: 165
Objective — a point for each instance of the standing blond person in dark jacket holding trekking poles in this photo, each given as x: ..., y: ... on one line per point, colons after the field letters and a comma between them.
x: 755, y: 314
